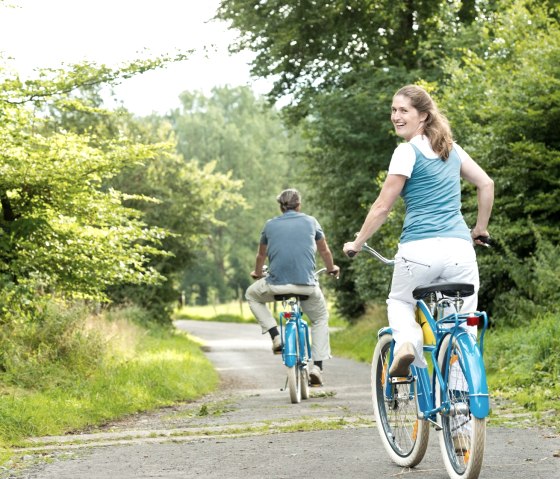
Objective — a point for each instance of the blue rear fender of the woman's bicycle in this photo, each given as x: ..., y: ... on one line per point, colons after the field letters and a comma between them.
x: 475, y: 374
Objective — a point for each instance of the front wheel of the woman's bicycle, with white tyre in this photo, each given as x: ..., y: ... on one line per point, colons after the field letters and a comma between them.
x: 404, y: 436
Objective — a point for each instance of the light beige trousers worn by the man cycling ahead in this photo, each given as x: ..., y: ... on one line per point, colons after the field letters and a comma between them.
x: 260, y: 293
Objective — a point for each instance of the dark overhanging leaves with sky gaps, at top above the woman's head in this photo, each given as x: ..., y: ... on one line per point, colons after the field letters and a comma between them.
x: 307, y: 46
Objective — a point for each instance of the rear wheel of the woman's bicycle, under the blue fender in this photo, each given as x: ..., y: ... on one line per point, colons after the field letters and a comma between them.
x: 462, y: 436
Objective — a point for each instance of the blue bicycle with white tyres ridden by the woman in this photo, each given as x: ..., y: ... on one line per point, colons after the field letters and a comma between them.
x: 454, y: 398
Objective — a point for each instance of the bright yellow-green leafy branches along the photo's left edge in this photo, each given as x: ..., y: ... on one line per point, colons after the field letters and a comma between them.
x: 62, y: 228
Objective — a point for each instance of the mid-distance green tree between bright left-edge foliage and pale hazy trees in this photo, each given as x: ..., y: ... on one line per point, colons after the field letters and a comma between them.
x: 192, y: 200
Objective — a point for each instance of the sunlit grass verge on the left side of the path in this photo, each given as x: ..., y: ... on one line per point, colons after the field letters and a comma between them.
x: 144, y: 369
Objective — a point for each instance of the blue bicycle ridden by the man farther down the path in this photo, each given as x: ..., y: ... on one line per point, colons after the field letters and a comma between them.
x: 296, y: 342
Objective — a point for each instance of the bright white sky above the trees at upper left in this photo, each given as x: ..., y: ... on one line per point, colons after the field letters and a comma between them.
x: 49, y: 33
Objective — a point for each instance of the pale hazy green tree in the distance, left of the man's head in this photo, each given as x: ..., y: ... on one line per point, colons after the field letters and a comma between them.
x: 243, y: 137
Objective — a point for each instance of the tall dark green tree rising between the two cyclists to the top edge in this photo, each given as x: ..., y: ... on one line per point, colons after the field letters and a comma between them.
x: 340, y: 64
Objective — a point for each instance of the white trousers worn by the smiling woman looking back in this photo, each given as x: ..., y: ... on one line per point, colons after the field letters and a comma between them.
x: 419, y: 263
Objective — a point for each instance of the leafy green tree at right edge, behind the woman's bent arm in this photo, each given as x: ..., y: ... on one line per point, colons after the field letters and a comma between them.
x: 505, y: 106
